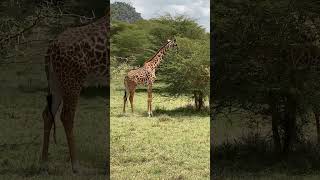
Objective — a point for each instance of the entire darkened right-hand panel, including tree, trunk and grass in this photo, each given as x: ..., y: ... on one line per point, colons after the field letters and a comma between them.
x: 265, y: 90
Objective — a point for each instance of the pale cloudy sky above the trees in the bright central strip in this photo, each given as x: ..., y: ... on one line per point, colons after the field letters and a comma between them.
x: 196, y: 9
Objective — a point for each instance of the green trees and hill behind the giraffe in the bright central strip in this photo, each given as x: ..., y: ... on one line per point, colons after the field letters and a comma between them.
x: 133, y: 42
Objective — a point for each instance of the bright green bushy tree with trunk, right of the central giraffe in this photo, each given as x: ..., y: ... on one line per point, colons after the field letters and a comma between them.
x: 188, y: 71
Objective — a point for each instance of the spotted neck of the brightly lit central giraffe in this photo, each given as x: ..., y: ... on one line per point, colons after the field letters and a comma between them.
x: 154, y: 62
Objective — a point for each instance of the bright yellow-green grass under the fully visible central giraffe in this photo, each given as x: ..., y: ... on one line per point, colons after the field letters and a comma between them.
x: 174, y: 144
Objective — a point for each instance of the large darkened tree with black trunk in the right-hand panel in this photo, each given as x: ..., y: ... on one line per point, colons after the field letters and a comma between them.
x: 266, y: 69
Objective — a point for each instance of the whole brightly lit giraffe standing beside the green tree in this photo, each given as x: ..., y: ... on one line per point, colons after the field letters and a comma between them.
x: 145, y: 75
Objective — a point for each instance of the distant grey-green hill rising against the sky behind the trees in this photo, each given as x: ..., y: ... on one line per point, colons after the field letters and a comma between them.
x: 121, y: 11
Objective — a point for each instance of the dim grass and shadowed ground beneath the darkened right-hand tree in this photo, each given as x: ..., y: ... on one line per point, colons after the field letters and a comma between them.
x: 243, y: 150
